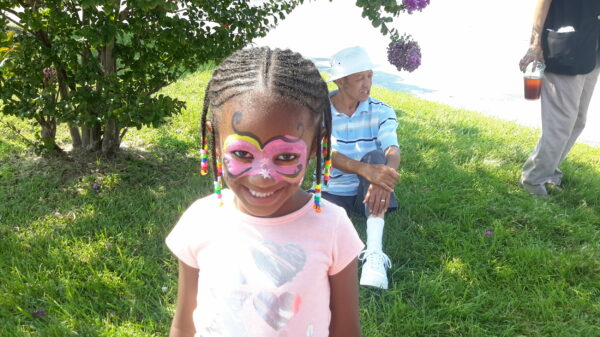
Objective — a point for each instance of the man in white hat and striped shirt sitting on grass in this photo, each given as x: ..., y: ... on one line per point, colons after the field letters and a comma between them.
x: 365, y: 156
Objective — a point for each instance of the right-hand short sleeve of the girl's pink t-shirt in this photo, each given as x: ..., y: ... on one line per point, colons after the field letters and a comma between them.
x: 346, y: 243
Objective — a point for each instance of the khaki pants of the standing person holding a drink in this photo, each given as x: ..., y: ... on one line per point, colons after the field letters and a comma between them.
x: 565, y: 101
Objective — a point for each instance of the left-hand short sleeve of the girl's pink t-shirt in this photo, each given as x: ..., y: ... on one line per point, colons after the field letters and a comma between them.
x: 183, y: 238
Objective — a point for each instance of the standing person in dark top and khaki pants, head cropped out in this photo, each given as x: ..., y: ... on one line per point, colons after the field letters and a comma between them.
x: 565, y: 36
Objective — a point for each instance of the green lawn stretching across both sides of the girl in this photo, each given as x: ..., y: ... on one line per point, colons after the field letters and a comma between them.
x: 95, y: 261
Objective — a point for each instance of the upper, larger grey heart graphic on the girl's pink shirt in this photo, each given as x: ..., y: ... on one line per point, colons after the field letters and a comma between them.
x: 280, y: 263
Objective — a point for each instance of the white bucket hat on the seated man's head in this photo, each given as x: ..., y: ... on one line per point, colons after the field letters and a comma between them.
x: 349, y: 61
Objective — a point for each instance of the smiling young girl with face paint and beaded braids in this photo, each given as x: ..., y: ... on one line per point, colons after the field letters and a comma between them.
x: 264, y: 258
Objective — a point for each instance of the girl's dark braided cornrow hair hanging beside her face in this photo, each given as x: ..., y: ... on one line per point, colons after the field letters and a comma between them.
x: 283, y: 72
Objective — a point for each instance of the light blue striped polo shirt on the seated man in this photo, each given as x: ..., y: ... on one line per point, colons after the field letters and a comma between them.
x: 372, y: 126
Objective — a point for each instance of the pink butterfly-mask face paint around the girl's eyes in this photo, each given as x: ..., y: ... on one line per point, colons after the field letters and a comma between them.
x: 245, y: 155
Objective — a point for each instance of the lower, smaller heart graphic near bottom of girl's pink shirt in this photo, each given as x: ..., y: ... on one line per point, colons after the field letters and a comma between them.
x: 276, y: 310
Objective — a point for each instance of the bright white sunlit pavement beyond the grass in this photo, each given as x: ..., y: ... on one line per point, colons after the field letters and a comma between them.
x: 470, y: 53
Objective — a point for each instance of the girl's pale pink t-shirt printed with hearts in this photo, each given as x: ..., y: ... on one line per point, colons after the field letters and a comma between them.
x: 263, y: 277
